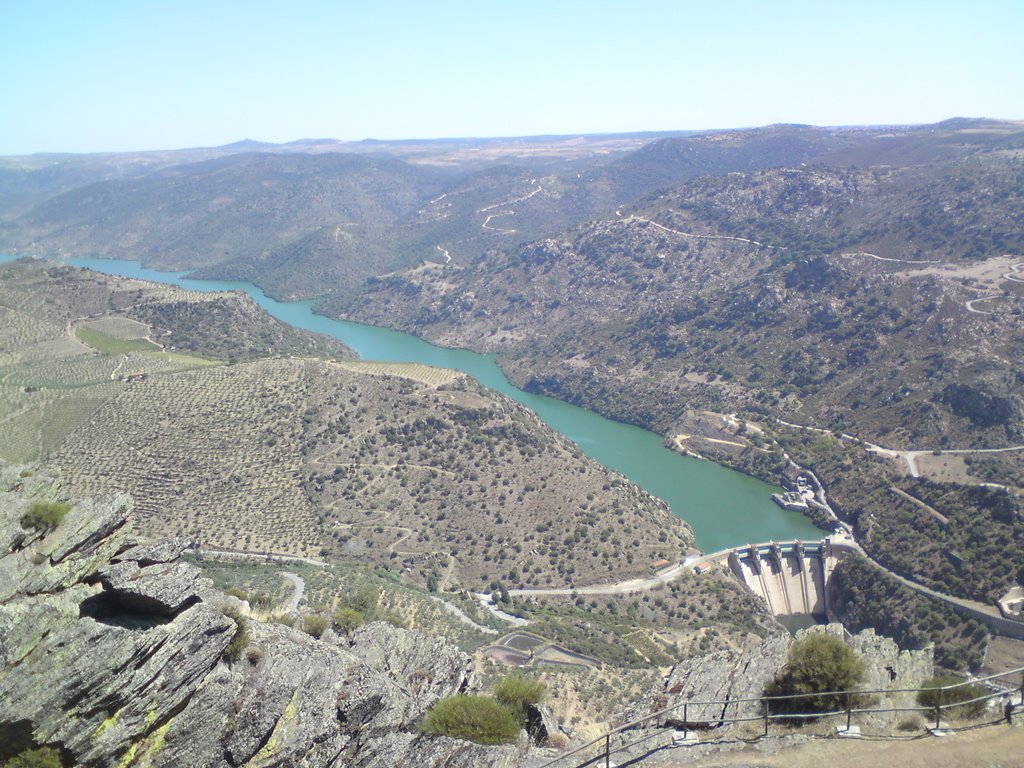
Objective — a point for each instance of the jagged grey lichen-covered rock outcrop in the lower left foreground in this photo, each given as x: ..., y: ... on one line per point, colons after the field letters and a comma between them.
x: 113, y: 652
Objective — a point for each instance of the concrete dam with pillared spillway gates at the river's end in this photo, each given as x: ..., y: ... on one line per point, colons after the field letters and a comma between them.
x: 791, y: 577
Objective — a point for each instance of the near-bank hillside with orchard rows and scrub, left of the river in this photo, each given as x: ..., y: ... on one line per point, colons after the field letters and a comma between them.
x: 301, y: 456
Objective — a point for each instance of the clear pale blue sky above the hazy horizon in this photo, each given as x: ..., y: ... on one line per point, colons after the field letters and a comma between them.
x: 113, y: 75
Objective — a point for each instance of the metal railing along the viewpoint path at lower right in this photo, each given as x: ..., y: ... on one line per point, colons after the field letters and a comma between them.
x: 856, y: 703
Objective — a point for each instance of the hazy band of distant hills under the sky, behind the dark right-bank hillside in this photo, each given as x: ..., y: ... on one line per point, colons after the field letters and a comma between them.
x: 318, y: 218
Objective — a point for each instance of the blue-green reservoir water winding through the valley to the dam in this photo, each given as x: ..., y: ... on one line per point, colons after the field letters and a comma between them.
x: 724, y: 507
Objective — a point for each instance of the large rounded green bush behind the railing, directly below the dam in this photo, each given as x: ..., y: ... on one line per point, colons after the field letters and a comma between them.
x: 818, y: 664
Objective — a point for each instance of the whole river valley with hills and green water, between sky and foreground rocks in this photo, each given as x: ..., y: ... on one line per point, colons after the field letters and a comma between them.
x: 839, y: 308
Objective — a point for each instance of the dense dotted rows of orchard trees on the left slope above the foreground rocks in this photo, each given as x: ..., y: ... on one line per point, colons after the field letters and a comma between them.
x: 210, y: 454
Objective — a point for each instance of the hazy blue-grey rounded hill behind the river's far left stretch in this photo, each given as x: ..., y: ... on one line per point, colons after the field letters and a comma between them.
x: 250, y: 205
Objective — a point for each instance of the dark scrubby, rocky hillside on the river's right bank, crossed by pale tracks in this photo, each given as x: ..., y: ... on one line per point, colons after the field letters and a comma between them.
x: 752, y: 291
